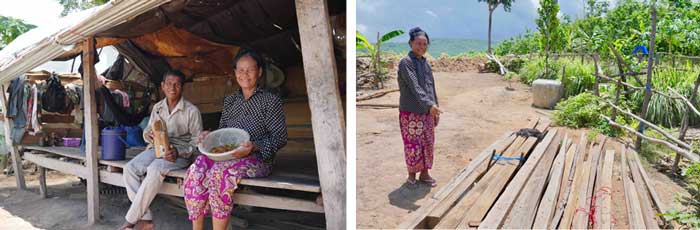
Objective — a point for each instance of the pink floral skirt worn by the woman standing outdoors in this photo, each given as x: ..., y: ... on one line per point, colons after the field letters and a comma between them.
x: 418, y: 133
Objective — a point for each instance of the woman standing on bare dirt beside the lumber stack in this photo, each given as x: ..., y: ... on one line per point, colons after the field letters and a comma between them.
x: 418, y: 108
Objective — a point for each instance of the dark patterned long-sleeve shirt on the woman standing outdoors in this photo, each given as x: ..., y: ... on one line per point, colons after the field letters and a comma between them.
x: 416, y: 84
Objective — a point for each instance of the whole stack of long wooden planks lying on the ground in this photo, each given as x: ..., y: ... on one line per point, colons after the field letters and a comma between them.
x: 554, y: 181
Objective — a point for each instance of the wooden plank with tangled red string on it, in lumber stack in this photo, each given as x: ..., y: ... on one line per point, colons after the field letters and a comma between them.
x: 605, y: 206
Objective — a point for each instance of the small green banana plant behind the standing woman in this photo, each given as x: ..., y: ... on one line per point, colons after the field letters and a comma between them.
x: 361, y: 43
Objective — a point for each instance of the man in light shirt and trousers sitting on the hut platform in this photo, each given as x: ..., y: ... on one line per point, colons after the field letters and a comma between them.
x: 144, y: 175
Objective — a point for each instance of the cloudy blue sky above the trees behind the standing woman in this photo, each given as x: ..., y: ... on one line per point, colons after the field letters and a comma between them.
x: 452, y: 18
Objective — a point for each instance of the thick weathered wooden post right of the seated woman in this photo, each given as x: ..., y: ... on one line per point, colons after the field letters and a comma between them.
x: 327, y: 117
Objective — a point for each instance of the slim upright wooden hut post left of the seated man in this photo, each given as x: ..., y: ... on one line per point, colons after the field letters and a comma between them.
x: 90, y: 129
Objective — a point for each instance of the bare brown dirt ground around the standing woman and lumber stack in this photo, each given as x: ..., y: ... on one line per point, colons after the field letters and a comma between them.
x: 478, y: 110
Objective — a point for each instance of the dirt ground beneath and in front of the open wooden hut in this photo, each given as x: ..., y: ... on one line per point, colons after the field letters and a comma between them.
x: 66, y: 208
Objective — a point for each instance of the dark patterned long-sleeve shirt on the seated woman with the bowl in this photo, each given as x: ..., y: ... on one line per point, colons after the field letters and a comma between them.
x: 262, y: 116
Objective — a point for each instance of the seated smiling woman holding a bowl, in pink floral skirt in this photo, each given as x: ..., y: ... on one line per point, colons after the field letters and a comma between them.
x: 209, y: 185
